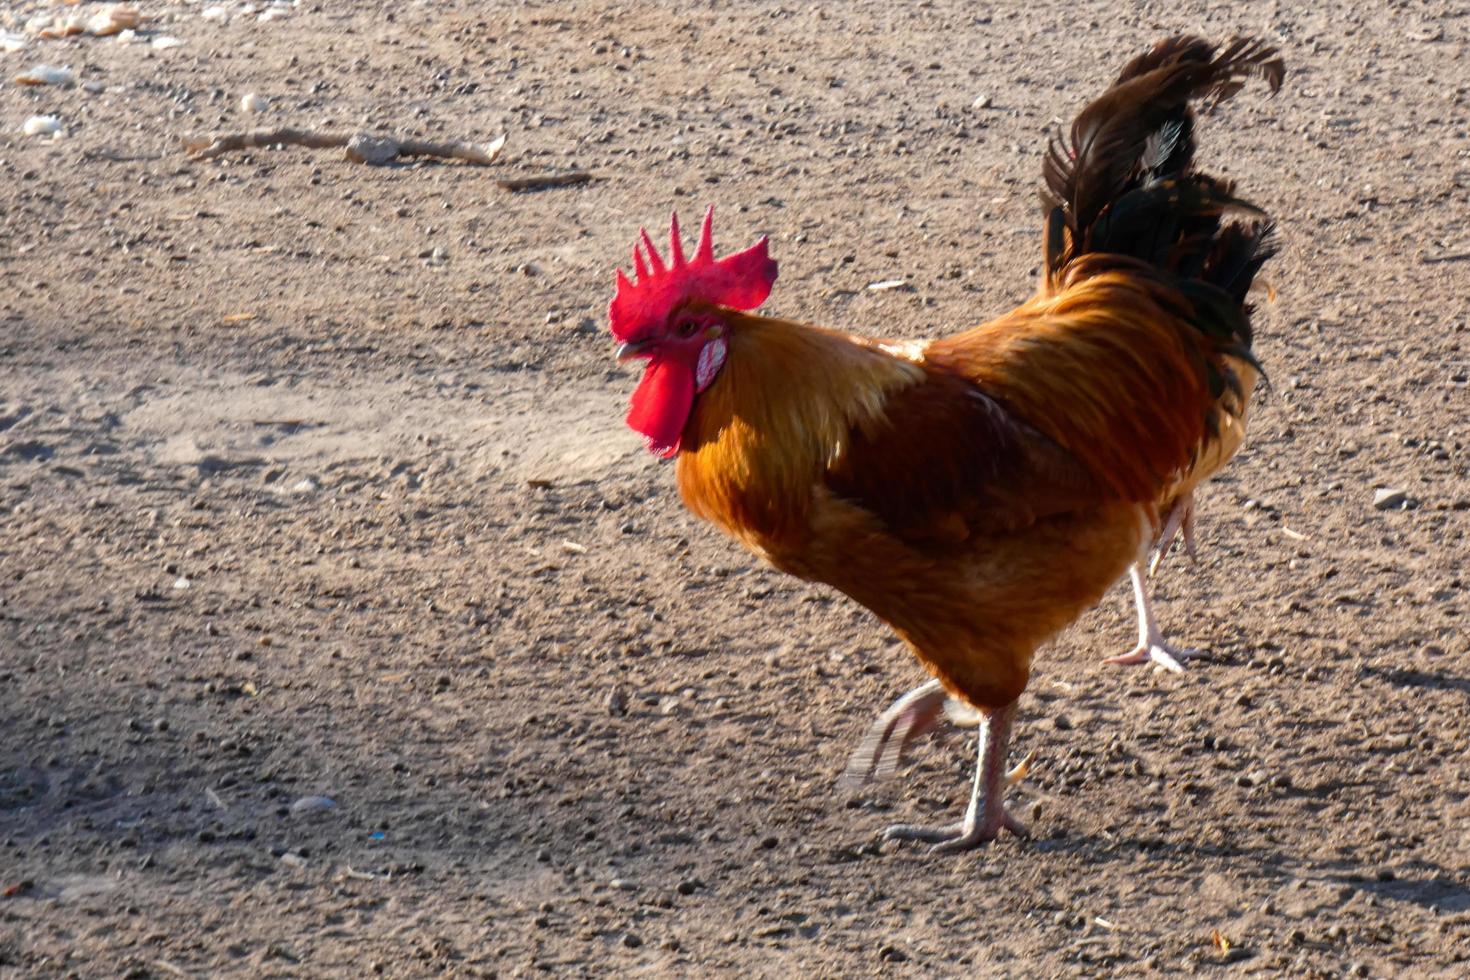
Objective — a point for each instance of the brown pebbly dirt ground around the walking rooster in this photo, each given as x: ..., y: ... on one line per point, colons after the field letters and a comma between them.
x: 314, y: 484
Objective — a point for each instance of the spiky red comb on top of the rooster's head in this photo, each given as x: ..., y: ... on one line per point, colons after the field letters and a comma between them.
x: 742, y: 281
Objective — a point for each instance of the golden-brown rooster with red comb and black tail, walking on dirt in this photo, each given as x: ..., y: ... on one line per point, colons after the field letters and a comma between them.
x: 980, y: 491
